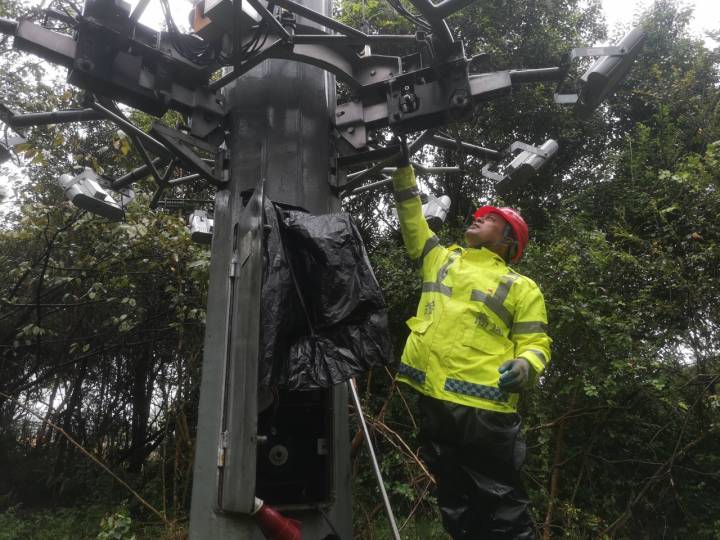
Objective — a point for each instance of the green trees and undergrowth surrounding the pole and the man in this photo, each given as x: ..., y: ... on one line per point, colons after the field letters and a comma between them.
x: 101, y: 324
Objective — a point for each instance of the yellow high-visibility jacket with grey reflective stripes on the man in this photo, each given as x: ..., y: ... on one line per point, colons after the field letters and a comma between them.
x: 474, y: 314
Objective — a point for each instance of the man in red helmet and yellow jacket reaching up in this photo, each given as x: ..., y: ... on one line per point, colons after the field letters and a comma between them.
x: 477, y: 342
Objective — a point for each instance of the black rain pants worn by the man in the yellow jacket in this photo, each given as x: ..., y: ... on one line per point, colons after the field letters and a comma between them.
x: 476, y: 456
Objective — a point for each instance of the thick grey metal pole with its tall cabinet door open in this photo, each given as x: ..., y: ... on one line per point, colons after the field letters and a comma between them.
x: 280, y: 114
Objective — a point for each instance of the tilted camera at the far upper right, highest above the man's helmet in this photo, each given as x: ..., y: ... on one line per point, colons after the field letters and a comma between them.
x: 607, y: 71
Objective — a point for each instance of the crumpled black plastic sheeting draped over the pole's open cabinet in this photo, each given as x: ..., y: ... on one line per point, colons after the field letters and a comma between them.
x: 324, y: 318
